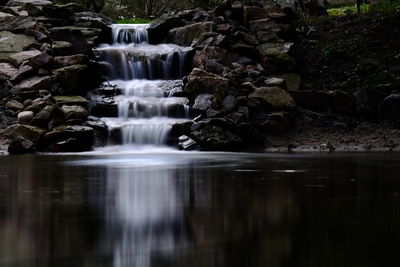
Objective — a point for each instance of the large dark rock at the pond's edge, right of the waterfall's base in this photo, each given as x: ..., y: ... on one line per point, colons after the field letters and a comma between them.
x: 215, y: 138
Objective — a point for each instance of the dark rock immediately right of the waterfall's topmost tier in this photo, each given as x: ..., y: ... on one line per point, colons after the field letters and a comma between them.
x: 159, y: 29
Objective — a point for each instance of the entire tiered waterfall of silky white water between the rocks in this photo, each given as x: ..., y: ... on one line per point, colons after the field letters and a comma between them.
x: 144, y: 73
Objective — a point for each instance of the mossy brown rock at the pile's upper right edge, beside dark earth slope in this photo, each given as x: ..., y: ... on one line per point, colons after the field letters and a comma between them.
x: 275, y: 58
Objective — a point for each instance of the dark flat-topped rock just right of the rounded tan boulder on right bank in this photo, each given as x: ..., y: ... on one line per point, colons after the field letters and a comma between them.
x: 316, y: 100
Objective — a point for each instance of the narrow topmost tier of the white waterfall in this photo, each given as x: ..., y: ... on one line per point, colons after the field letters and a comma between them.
x: 130, y: 33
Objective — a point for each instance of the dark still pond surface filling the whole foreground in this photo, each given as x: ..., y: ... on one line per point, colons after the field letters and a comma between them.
x: 200, y: 209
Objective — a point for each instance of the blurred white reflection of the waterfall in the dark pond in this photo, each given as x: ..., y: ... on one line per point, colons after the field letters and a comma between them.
x: 143, y: 214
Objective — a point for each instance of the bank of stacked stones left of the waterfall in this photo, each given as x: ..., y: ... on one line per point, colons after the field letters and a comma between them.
x: 46, y: 69
